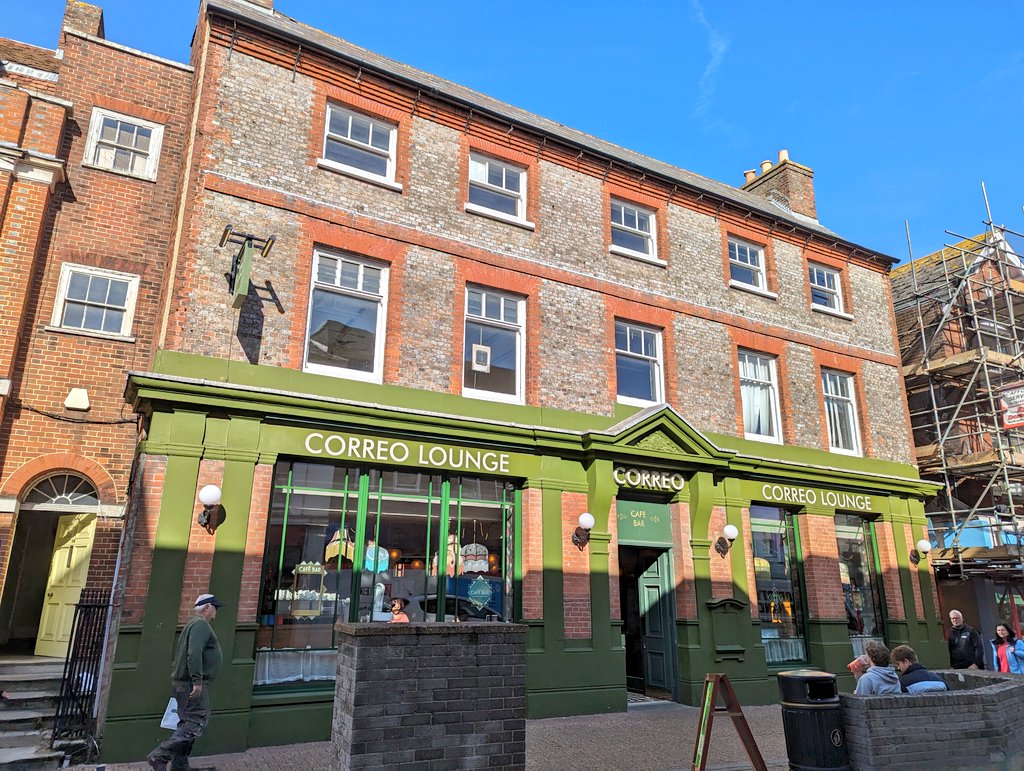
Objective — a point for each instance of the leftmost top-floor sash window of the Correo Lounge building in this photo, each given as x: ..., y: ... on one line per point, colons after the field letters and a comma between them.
x: 360, y: 145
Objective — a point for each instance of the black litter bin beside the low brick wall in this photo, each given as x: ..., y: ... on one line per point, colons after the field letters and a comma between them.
x: 813, y: 719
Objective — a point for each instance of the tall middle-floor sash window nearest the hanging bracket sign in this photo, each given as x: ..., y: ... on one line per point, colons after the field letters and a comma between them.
x: 347, y: 317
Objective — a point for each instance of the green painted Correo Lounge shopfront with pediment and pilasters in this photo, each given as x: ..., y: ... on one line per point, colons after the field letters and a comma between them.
x: 204, y: 409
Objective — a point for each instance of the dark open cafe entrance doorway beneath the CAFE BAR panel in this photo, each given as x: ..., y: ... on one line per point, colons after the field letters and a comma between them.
x: 648, y: 603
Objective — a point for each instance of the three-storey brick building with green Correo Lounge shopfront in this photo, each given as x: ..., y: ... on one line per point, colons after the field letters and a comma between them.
x: 436, y: 349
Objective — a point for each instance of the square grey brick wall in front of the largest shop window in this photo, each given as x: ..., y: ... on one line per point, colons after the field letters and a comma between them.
x: 431, y: 696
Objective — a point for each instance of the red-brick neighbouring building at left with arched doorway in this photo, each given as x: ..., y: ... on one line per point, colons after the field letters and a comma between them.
x: 92, y: 139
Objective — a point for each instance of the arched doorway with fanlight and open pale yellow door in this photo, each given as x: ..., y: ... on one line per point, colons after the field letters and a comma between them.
x: 50, y: 565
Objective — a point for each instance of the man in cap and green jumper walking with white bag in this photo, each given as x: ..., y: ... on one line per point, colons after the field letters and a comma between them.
x: 197, y: 662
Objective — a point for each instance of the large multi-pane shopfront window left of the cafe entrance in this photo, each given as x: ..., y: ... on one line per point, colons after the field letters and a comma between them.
x: 344, y: 542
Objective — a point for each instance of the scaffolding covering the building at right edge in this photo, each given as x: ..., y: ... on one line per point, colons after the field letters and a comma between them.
x: 960, y: 316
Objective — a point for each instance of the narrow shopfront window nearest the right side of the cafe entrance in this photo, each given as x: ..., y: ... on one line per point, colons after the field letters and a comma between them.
x: 777, y: 574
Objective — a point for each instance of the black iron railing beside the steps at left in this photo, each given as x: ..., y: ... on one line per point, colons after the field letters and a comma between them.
x: 75, y: 721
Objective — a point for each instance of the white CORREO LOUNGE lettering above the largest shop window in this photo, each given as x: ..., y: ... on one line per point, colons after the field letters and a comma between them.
x: 399, y: 453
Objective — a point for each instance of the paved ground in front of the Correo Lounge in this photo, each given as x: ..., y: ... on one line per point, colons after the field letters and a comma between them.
x: 650, y: 737
